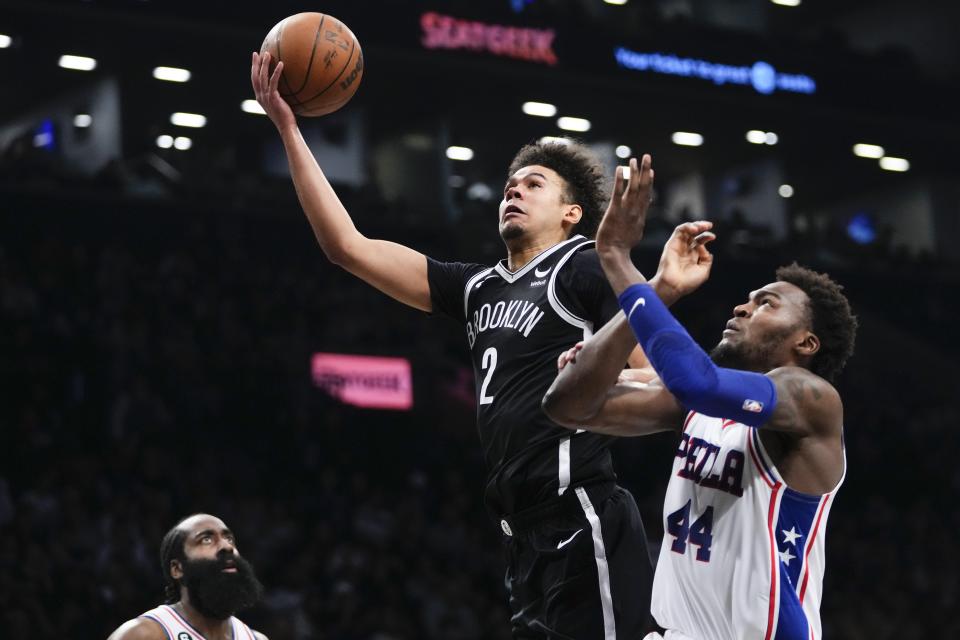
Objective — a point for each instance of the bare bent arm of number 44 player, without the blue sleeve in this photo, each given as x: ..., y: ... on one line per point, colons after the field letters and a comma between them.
x: 590, y: 393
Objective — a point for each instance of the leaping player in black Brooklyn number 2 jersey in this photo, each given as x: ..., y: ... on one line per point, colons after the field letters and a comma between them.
x: 578, y: 566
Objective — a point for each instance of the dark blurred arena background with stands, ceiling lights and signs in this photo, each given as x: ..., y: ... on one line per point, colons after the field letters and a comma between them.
x: 172, y: 340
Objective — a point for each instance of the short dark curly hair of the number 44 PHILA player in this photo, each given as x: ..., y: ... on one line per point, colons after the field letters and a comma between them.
x: 830, y: 317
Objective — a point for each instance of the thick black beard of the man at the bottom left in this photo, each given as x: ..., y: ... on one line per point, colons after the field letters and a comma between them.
x: 218, y: 594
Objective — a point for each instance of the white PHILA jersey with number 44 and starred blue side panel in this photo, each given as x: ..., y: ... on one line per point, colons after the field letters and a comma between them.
x: 743, y: 554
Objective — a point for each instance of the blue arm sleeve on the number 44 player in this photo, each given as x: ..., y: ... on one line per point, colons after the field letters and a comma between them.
x: 687, y: 371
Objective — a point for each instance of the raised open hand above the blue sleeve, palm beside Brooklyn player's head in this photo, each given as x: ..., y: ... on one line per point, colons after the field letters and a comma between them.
x: 622, y: 226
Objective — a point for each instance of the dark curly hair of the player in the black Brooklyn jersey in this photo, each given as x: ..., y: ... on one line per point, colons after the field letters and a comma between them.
x: 580, y: 169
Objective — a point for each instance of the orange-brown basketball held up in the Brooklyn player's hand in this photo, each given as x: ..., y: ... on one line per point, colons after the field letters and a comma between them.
x: 322, y: 62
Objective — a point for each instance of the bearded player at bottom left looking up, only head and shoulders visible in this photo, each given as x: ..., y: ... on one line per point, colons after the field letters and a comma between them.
x: 207, y: 582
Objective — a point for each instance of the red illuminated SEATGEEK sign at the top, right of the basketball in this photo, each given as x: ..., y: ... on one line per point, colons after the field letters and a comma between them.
x: 445, y: 32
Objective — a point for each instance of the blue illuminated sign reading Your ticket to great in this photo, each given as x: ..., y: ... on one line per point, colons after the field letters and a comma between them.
x: 761, y: 75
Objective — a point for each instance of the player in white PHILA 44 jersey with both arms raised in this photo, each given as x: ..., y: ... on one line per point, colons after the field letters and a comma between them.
x: 761, y: 452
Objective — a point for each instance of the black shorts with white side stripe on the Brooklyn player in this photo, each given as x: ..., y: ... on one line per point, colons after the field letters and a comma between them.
x: 583, y: 572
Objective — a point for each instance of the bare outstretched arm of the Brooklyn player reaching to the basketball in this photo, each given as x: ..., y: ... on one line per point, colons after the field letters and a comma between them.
x: 398, y: 271
